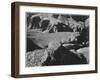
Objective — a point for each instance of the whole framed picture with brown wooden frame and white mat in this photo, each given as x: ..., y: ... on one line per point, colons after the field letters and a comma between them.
x: 52, y: 39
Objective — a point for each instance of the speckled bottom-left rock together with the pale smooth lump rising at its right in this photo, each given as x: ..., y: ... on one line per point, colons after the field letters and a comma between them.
x: 40, y: 57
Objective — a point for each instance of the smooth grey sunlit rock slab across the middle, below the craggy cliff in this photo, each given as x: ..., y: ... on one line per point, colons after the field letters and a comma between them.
x: 42, y: 40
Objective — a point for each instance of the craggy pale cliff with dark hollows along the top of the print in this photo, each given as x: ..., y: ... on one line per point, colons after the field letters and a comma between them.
x: 56, y: 22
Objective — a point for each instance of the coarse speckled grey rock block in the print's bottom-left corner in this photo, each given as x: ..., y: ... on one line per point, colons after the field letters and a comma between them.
x: 36, y: 58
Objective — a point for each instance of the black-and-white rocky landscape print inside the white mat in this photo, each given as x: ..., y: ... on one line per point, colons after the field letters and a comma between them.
x: 56, y: 39
